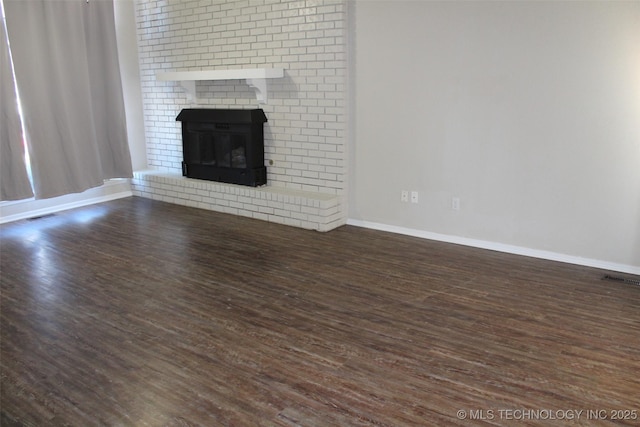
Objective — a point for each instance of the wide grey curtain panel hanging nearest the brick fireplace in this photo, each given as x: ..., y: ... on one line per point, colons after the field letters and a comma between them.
x: 67, y: 71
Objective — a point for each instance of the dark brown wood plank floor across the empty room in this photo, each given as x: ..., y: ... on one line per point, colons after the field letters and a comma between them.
x: 141, y: 313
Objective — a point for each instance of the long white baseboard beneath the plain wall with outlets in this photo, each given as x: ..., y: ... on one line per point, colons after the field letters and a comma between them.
x: 500, y: 247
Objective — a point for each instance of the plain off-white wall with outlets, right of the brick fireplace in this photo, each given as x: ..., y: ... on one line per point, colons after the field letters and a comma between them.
x: 529, y: 112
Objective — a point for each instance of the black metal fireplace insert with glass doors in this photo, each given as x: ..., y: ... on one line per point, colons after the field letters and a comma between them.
x: 224, y: 145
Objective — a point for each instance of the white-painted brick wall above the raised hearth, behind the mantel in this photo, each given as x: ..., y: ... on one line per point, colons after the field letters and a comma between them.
x: 305, y: 137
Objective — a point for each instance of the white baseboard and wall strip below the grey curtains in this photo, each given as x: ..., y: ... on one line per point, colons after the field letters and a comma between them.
x: 23, y: 209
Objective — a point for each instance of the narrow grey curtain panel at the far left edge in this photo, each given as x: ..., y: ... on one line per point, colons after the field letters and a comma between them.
x: 14, y: 182
